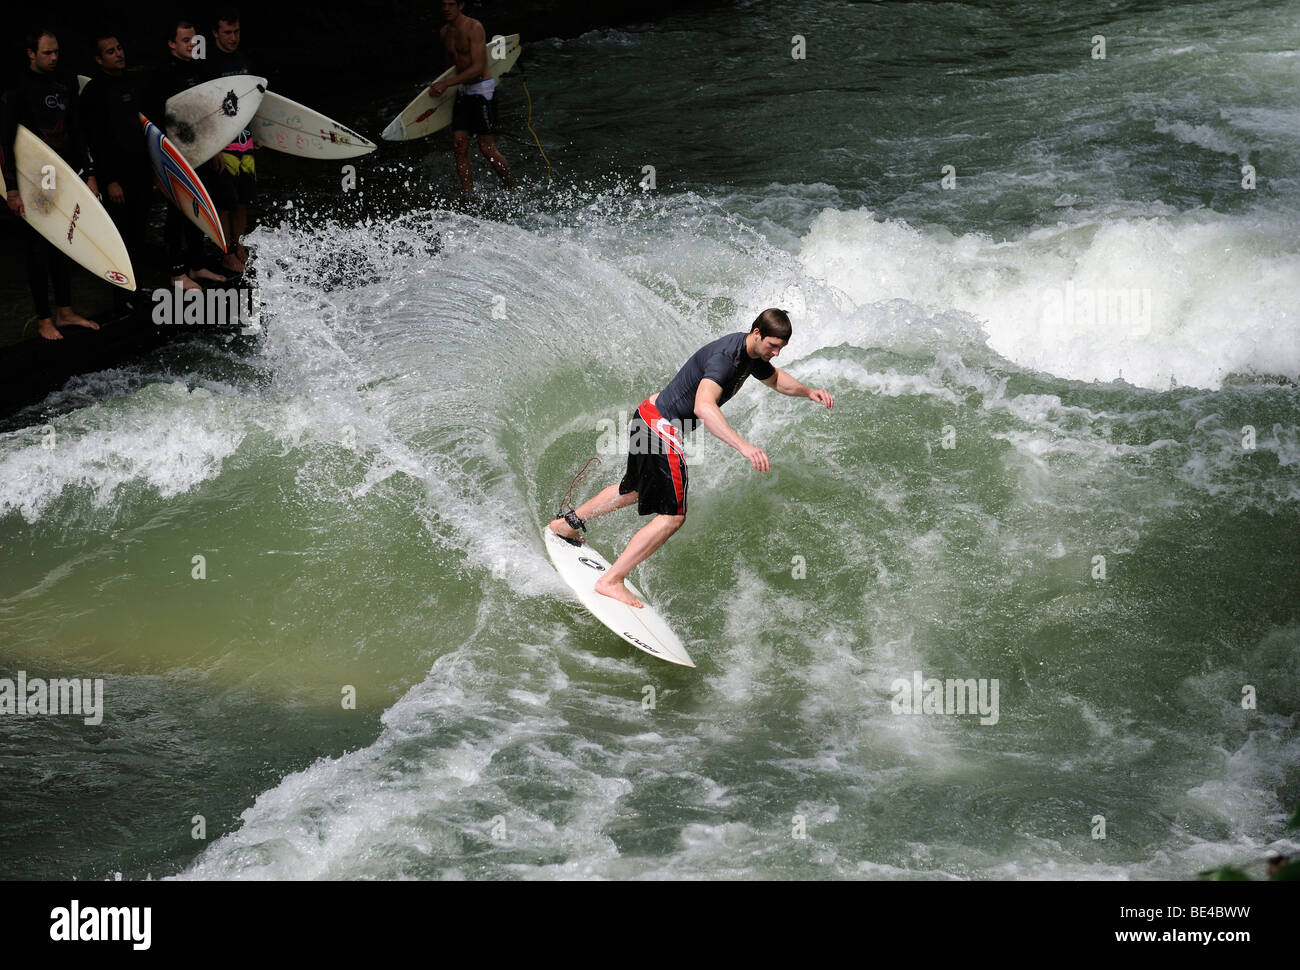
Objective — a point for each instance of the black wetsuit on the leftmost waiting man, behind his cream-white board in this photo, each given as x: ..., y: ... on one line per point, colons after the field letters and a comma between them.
x: 47, y: 106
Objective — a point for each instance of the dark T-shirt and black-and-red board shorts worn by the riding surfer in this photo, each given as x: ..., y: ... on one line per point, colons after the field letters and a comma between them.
x: 657, y: 466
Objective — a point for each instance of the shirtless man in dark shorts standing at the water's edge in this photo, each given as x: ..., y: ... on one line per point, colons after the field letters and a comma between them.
x: 475, y: 111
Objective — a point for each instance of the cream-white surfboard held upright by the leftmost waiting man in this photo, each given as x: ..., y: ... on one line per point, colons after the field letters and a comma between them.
x: 62, y: 209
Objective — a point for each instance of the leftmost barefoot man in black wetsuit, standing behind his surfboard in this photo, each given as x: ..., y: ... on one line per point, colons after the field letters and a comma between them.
x: 46, y: 103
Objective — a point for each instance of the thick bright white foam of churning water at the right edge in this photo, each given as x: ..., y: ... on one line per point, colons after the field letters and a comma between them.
x: 1155, y: 301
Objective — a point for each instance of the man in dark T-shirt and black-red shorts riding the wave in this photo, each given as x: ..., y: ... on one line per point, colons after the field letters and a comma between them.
x: 657, y: 467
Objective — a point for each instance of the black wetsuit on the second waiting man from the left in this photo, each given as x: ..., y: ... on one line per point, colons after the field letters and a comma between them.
x: 111, y: 107
